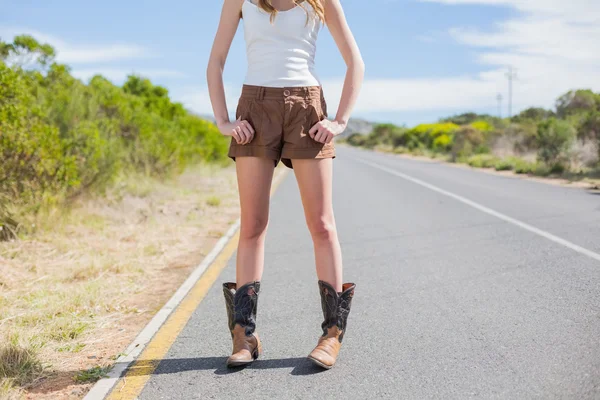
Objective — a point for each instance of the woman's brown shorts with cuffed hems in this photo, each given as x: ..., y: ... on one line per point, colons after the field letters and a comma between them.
x: 281, y: 118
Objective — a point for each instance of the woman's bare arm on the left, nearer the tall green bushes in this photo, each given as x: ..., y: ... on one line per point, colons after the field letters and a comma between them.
x: 230, y: 19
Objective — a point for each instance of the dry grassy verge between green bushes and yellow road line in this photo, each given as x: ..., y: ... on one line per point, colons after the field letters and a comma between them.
x: 76, y: 292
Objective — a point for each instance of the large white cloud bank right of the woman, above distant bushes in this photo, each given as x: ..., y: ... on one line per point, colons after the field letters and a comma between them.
x: 552, y: 44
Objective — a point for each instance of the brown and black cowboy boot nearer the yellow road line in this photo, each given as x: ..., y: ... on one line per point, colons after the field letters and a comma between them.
x: 241, y: 312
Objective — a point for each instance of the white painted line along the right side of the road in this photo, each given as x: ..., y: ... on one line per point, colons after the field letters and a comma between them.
x: 482, y: 208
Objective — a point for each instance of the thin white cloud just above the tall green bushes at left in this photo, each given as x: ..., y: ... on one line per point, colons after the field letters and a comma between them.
x: 69, y: 53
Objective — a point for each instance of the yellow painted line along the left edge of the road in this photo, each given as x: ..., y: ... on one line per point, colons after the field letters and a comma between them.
x: 131, y: 385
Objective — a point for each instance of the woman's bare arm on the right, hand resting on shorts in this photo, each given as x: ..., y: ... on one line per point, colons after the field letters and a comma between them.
x: 324, y: 131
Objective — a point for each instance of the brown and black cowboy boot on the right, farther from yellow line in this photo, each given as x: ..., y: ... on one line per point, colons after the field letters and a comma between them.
x: 336, y: 307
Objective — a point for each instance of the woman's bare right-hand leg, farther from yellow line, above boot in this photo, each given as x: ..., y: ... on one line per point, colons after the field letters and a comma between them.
x: 314, y: 178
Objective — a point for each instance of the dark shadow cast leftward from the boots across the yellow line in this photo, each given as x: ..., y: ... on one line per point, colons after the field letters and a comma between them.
x: 300, y: 365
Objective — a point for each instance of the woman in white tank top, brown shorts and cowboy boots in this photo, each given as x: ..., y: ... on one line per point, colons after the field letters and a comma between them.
x: 281, y: 115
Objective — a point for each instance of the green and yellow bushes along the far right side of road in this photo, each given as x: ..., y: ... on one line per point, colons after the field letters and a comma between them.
x: 562, y: 142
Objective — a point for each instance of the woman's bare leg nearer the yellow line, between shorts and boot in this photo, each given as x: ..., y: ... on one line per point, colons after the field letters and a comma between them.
x: 254, y: 177
